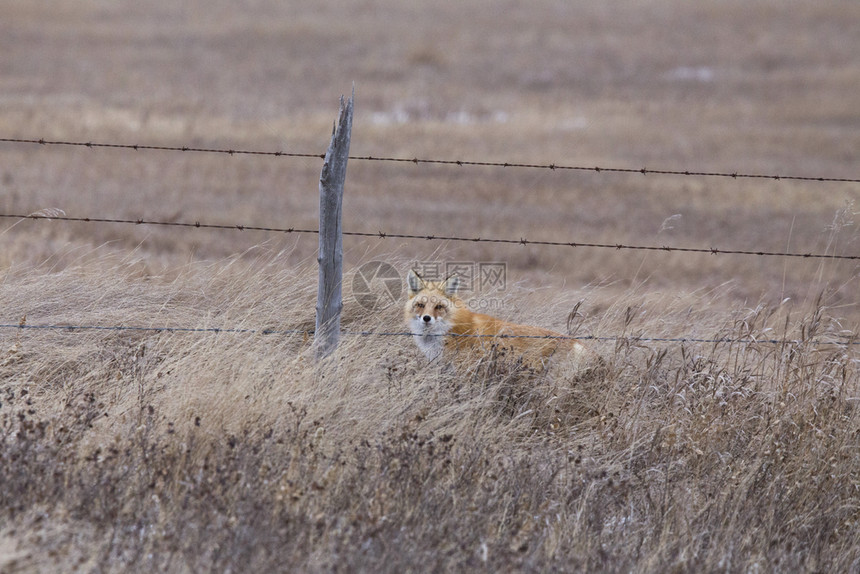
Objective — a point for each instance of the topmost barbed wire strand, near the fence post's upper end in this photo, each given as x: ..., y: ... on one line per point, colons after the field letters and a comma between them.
x: 455, y: 162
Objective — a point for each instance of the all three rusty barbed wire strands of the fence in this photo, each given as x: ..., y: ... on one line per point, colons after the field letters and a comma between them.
x: 839, y: 340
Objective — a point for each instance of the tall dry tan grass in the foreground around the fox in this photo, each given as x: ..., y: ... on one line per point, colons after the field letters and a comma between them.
x: 176, y: 451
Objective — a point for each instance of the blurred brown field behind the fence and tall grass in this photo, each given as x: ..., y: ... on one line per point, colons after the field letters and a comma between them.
x: 723, y: 86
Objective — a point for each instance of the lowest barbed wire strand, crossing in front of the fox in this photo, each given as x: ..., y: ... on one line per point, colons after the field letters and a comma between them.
x: 850, y: 340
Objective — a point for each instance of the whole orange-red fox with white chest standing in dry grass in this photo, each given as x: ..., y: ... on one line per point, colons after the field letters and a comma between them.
x: 436, y: 316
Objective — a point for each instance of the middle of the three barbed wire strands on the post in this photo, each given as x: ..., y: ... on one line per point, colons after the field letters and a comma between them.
x: 431, y: 237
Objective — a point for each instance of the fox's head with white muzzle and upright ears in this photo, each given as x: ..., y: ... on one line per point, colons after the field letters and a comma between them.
x: 429, y: 310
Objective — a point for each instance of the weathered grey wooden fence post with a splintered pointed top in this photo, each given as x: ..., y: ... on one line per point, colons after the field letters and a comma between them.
x: 330, y: 259
